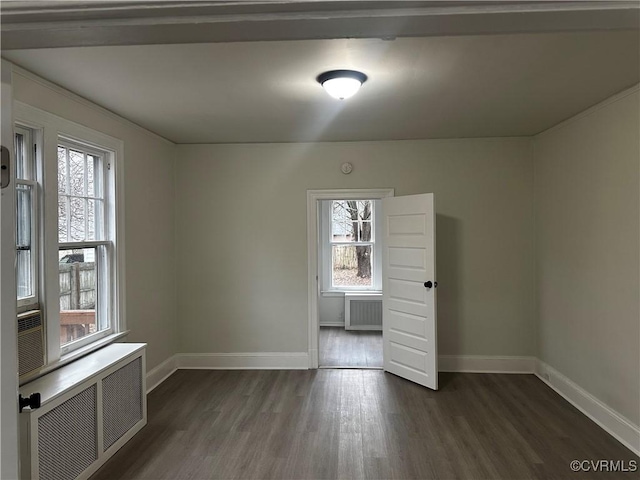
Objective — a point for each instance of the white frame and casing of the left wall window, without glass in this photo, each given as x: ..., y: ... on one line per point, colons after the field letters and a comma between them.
x: 54, y: 130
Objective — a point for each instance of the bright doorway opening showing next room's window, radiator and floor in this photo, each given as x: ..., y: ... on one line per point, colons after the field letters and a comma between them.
x: 350, y: 279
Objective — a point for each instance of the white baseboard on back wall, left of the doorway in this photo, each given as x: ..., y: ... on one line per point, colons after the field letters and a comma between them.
x: 244, y: 361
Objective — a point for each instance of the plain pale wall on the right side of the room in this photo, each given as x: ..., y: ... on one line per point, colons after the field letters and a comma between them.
x: 587, y: 251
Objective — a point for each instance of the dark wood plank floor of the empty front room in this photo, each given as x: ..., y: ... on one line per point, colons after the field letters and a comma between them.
x: 325, y: 424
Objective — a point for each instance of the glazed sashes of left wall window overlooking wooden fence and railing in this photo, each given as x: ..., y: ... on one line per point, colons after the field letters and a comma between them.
x: 84, y: 245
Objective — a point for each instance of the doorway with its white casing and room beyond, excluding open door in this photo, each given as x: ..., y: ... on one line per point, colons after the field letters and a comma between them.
x: 345, y: 297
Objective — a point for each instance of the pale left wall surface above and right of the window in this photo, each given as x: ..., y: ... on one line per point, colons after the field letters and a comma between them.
x: 149, y: 210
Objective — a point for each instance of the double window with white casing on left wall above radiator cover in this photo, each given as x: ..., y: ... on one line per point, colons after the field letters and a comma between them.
x: 69, y: 234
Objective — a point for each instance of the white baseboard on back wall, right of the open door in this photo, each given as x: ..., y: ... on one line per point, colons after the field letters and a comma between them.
x: 485, y: 364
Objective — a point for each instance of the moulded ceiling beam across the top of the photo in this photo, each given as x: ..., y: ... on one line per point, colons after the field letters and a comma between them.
x: 54, y: 24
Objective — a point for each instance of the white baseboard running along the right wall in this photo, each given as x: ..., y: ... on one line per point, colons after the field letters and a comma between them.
x: 608, y: 419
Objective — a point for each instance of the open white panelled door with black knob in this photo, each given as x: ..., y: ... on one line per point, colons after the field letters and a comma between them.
x: 408, y: 286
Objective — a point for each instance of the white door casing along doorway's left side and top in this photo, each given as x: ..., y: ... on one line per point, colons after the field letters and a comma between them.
x: 313, y: 219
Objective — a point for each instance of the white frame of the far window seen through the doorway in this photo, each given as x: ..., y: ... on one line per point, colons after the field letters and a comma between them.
x: 327, y: 288
